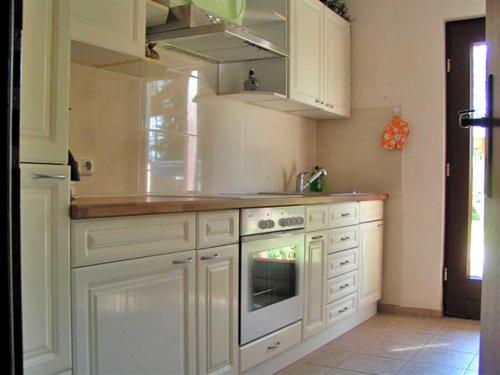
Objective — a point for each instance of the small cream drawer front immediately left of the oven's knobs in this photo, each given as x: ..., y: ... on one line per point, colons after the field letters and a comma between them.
x: 218, y: 228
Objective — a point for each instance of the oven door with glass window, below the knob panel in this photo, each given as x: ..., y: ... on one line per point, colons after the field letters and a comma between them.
x: 272, y: 268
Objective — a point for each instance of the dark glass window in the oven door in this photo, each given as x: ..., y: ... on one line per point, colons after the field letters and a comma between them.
x: 273, y: 276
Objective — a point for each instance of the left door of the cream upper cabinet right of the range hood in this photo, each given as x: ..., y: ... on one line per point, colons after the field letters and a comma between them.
x: 305, y: 52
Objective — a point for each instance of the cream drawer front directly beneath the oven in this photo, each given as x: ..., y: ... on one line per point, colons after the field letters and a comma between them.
x: 267, y: 347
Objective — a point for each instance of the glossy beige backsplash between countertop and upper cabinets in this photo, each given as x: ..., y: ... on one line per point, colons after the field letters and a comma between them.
x: 174, y: 135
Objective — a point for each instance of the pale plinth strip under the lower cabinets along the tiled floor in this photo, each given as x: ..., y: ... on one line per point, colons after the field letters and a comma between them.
x: 309, y: 345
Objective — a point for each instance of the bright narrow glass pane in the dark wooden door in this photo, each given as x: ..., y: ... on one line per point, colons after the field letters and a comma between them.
x: 478, y: 162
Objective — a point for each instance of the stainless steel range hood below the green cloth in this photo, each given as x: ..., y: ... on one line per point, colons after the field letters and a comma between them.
x: 198, y: 32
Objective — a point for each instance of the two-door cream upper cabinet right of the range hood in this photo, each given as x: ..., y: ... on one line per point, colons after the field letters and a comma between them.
x: 319, y: 60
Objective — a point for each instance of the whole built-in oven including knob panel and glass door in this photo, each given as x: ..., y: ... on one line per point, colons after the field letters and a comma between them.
x: 272, y: 268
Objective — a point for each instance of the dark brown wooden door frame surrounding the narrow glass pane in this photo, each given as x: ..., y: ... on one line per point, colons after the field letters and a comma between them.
x: 462, y: 294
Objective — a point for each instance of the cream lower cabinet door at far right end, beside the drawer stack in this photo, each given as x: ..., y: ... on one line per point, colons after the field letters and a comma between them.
x: 371, y: 246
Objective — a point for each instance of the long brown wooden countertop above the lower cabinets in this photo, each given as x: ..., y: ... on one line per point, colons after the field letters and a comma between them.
x: 86, y: 208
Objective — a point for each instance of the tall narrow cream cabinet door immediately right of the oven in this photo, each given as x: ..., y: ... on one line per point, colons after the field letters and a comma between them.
x: 315, y: 283
